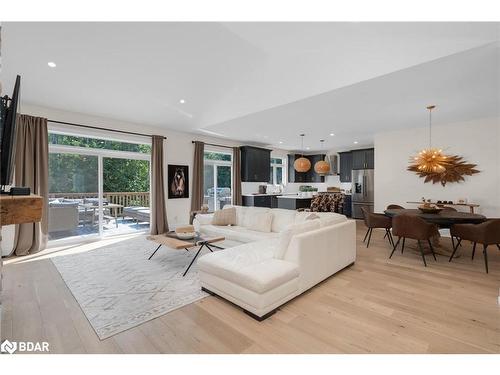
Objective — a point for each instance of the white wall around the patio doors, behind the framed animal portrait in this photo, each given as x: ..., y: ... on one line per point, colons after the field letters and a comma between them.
x: 178, y: 150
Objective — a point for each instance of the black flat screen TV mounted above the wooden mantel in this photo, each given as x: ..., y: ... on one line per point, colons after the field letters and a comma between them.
x: 8, y: 135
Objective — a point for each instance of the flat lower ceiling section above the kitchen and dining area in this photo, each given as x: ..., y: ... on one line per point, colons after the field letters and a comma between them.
x: 464, y: 86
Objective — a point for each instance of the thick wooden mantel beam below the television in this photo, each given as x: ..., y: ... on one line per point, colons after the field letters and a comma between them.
x: 17, y: 209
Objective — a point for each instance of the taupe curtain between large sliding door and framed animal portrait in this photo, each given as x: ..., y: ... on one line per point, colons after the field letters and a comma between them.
x: 159, y: 224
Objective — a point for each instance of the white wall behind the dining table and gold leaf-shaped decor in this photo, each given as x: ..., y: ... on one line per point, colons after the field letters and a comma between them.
x: 476, y: 141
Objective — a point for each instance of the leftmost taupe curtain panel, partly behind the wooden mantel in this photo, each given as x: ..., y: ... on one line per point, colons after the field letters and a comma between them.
x: 32, y: 170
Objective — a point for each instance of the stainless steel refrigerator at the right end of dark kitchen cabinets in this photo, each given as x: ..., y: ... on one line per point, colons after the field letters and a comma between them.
x: 362, y: 191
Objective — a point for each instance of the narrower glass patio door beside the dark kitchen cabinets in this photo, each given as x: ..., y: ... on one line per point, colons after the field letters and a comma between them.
x: 217, y: 182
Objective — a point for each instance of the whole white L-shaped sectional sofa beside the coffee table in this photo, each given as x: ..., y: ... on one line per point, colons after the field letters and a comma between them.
x: 283, y: 254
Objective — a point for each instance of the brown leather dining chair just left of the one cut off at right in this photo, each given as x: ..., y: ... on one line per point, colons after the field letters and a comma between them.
x: 414, y: 227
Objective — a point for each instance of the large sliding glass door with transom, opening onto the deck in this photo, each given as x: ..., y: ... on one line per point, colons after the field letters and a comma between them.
x: 97, y: 187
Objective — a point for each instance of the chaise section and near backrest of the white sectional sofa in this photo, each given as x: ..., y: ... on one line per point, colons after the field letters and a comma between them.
x: 258, y: 280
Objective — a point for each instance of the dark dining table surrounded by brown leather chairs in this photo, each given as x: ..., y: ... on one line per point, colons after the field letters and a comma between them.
x: 444, y: 219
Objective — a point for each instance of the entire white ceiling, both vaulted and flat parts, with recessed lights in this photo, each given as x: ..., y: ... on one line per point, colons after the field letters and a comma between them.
x: 259, y: 82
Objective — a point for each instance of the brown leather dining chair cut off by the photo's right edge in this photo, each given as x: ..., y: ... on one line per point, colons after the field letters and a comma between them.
x: 486, y: 233
